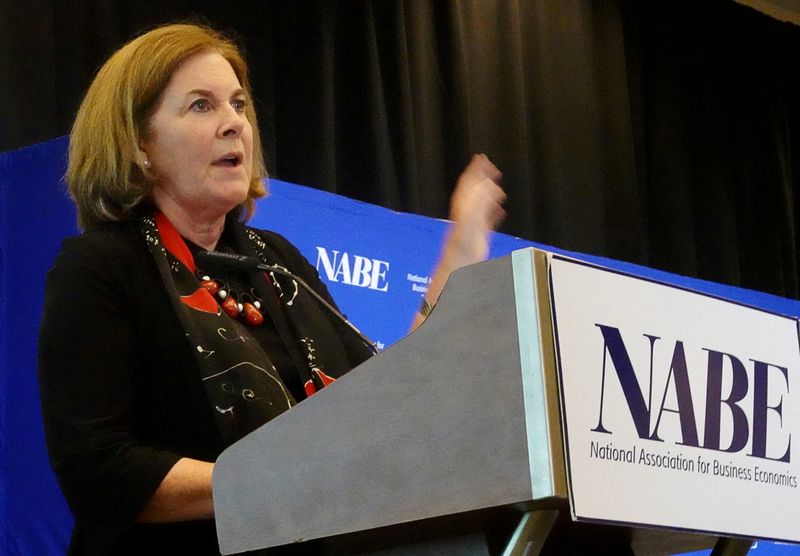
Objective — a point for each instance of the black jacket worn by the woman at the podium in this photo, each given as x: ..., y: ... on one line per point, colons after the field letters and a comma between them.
x: 121, y: 394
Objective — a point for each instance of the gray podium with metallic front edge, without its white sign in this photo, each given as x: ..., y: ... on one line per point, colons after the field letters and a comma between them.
x: 449, y: 437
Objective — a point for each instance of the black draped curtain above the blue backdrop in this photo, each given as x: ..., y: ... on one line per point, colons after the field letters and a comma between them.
x: 657, y: 132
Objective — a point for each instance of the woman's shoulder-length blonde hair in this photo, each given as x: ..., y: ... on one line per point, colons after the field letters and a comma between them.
x: 104, y: 175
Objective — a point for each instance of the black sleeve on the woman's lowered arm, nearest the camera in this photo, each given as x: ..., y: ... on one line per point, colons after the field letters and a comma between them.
x: 87, y: 362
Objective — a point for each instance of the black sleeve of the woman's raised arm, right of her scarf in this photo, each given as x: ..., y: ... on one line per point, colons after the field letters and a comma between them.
x: 356, y: 351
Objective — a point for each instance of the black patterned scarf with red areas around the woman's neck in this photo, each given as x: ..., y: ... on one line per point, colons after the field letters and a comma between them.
x: 243, y: 386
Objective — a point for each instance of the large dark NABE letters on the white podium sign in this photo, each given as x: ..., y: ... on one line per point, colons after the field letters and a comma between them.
x: 750, y: 422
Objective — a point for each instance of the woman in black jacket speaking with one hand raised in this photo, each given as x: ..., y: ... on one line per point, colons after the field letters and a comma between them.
x: 149, y: 365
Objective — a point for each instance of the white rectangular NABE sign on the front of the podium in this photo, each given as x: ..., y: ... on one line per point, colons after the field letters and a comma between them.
x: 680, y: 410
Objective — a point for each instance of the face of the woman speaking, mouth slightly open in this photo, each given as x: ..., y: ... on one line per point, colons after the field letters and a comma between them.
x: 199, y: 142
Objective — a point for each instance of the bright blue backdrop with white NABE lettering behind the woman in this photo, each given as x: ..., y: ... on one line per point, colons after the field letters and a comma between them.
x: 376, y: 263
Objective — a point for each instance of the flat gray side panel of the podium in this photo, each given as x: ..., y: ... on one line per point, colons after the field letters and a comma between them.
x: 433, y: 426
